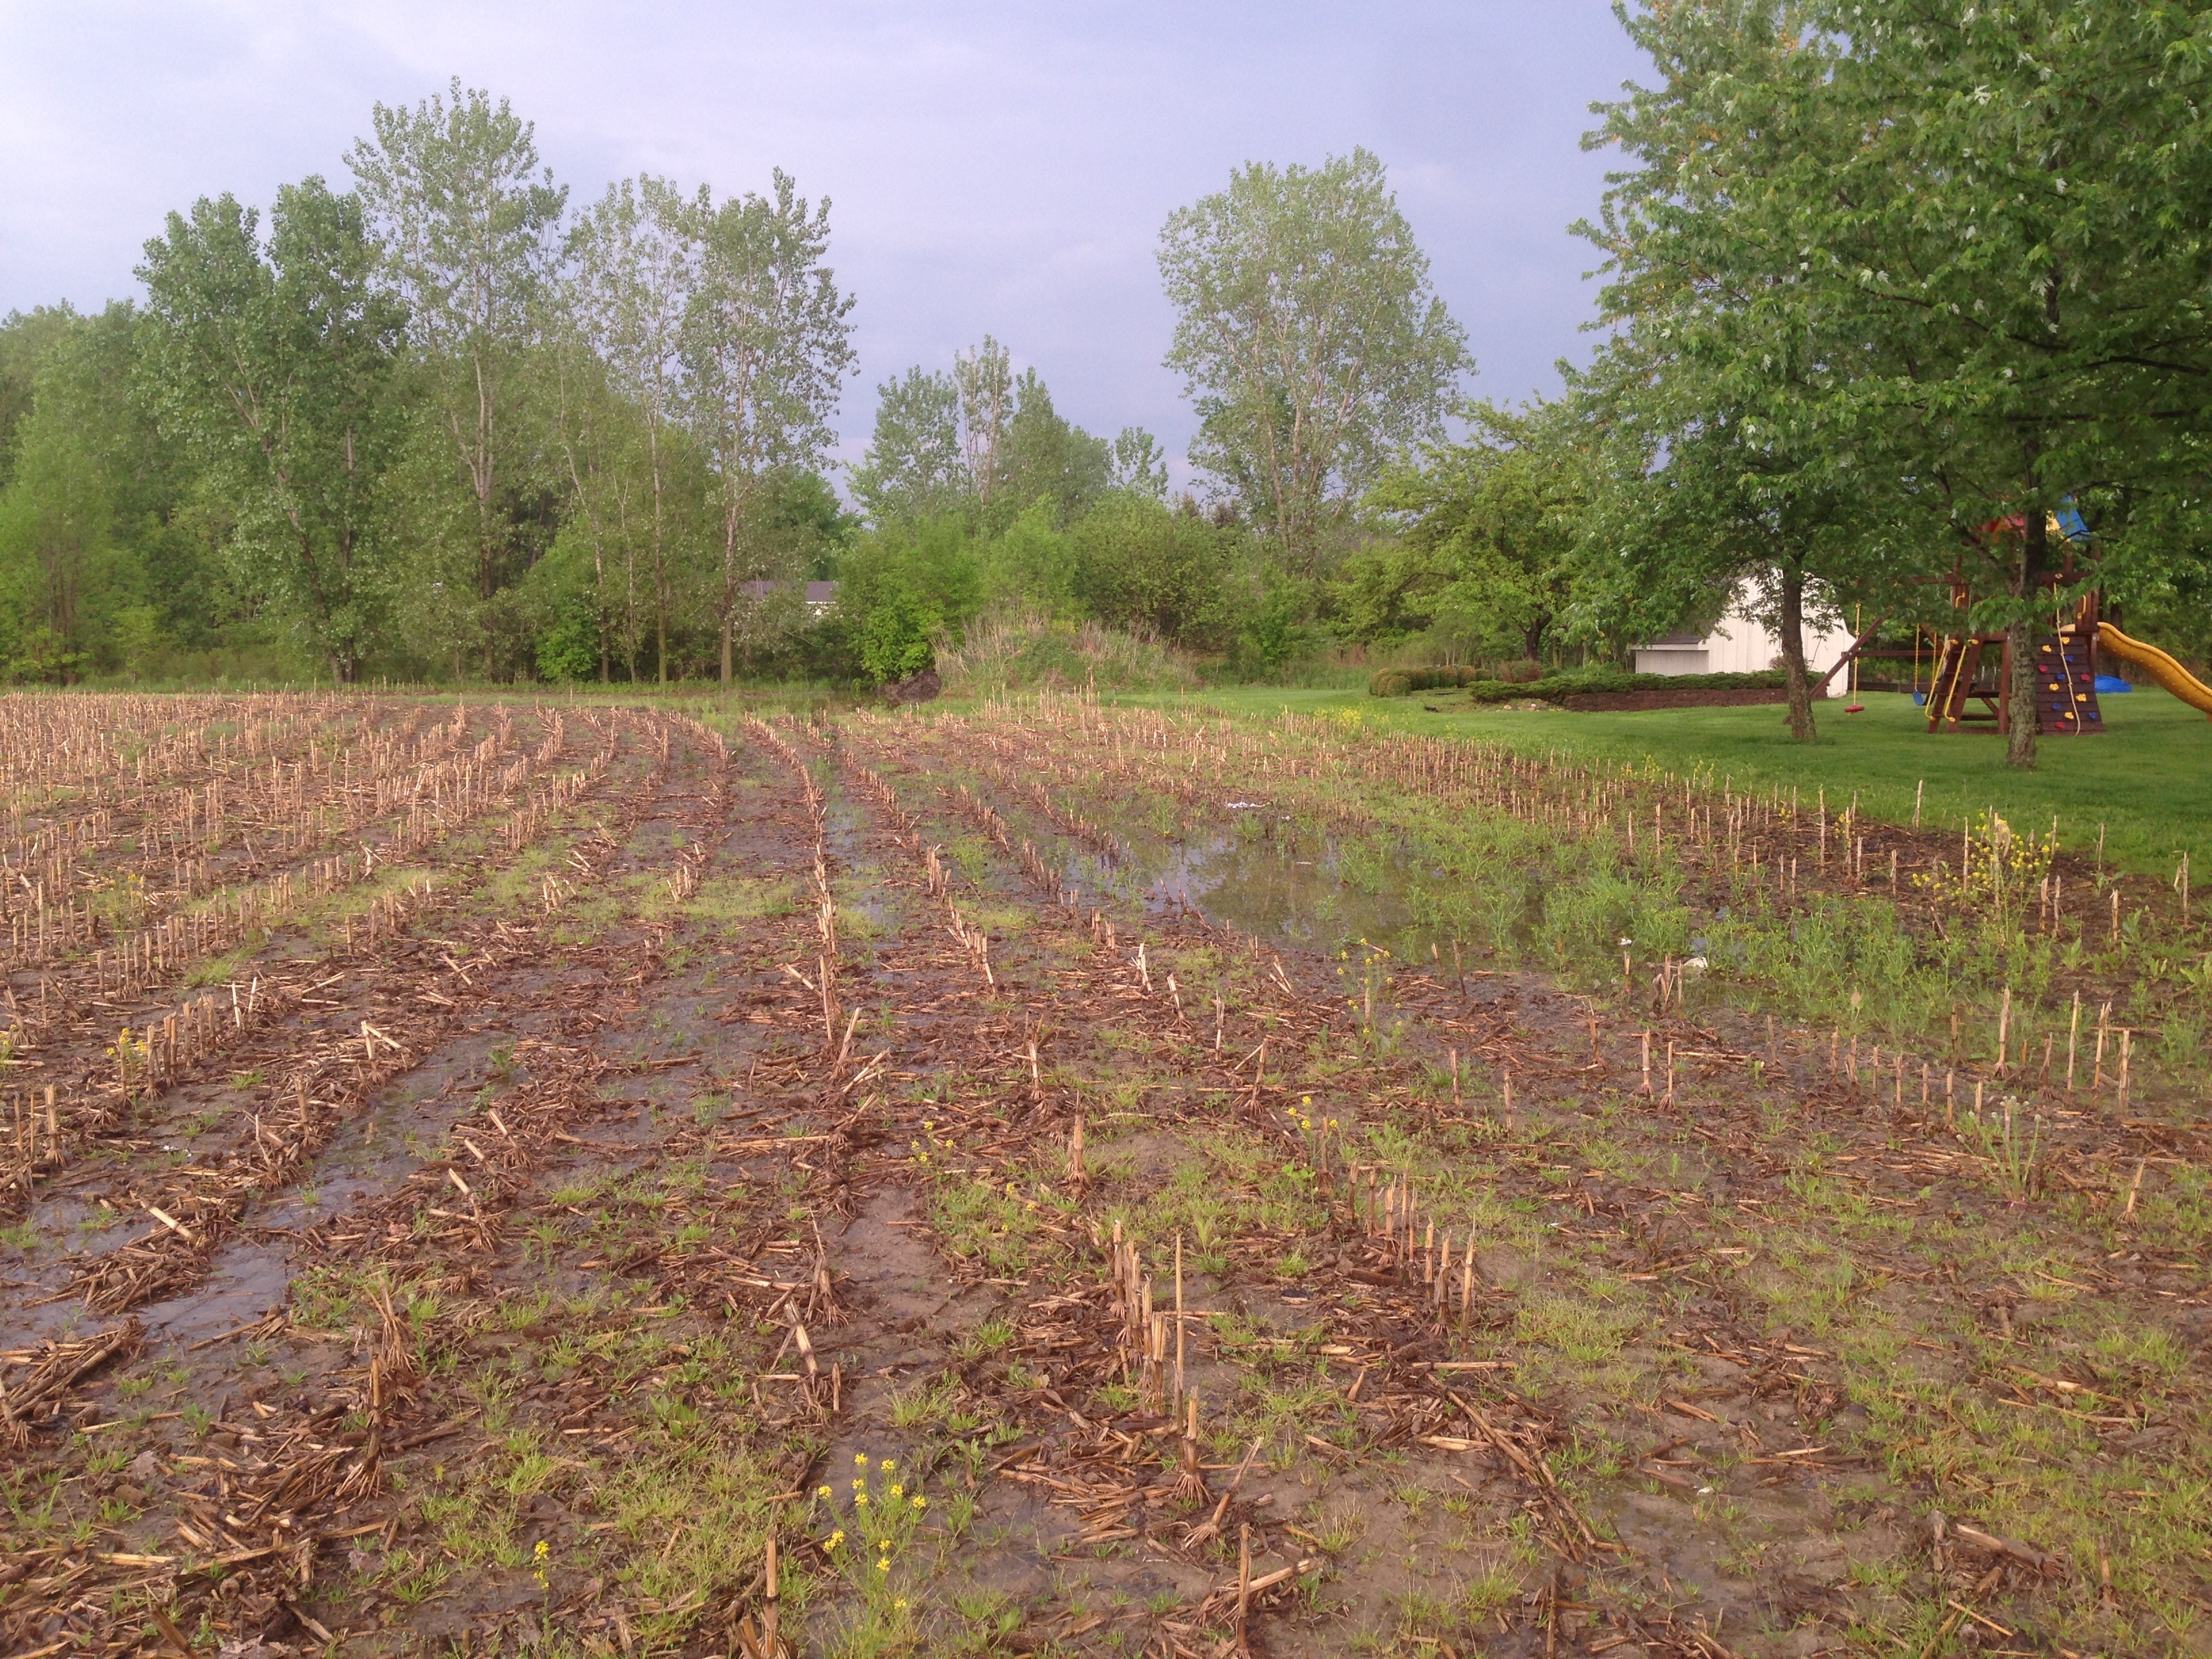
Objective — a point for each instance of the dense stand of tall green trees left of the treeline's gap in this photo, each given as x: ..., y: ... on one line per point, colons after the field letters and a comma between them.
x: 428, y: 426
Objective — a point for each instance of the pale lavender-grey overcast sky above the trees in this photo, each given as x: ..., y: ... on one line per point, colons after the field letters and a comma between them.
x: 992, y: 167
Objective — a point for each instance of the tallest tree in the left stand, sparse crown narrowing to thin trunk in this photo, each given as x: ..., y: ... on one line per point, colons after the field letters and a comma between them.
x: 470, y: 236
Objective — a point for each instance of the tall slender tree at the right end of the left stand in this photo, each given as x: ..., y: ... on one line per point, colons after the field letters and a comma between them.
x: 766, y: 348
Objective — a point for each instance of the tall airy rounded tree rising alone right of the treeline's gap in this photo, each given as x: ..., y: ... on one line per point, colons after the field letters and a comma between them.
x: 1311, y: 337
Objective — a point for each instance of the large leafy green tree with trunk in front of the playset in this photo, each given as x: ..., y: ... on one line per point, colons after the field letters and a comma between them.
x: 1954, y: 260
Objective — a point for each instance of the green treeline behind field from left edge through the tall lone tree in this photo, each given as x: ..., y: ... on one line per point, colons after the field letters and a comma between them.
x: 448, y: 426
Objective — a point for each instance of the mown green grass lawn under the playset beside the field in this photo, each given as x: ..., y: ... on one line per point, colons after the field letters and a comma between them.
x: 2149, y: 780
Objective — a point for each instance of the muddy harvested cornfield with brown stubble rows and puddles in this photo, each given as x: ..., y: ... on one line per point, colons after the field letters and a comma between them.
x: 1065, y: 1182
